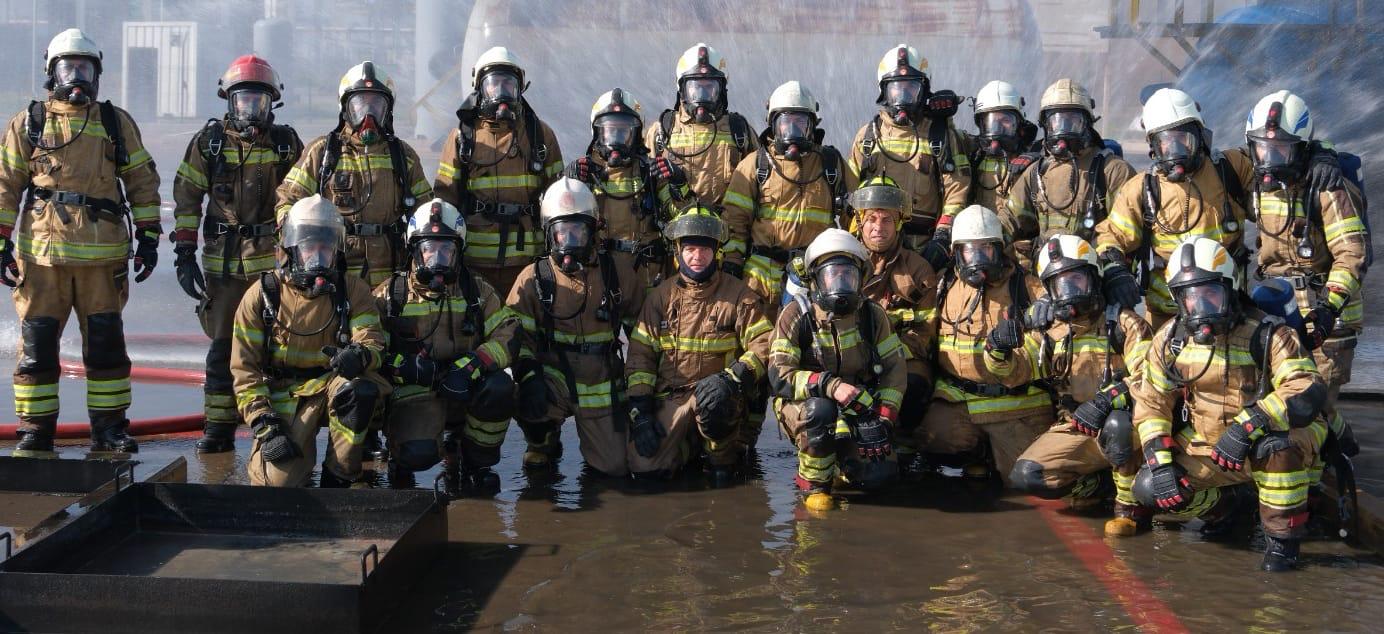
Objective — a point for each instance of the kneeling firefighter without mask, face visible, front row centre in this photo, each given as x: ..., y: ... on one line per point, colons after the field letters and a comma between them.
x: 697, y: 358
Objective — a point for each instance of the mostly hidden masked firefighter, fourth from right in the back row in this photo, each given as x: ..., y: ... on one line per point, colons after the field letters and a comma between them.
x: 1003, y: 146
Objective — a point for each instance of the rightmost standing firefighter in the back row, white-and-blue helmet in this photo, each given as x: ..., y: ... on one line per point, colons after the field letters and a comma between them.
x: 1314, y: 237
